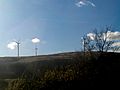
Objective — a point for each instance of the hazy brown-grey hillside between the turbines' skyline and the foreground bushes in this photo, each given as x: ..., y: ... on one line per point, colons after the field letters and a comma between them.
x: 11, y: 67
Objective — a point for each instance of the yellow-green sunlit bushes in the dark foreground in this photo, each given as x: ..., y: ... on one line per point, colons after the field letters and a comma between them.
x: 59, y: 78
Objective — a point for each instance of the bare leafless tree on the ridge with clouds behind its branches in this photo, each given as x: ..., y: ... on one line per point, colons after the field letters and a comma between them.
x: 102, y: 41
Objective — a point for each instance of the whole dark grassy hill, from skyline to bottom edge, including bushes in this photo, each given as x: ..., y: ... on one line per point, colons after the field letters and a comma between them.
x: 61, y: 71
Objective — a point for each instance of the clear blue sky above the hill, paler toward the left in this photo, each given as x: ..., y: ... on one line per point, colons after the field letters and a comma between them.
x: 58, y: 24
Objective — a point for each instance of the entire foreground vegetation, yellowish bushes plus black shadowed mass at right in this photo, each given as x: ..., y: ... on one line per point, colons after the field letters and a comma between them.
x: 79, y: 73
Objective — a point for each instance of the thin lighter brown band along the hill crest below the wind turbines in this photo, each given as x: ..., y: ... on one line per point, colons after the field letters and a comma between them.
x: 66, y: 55
